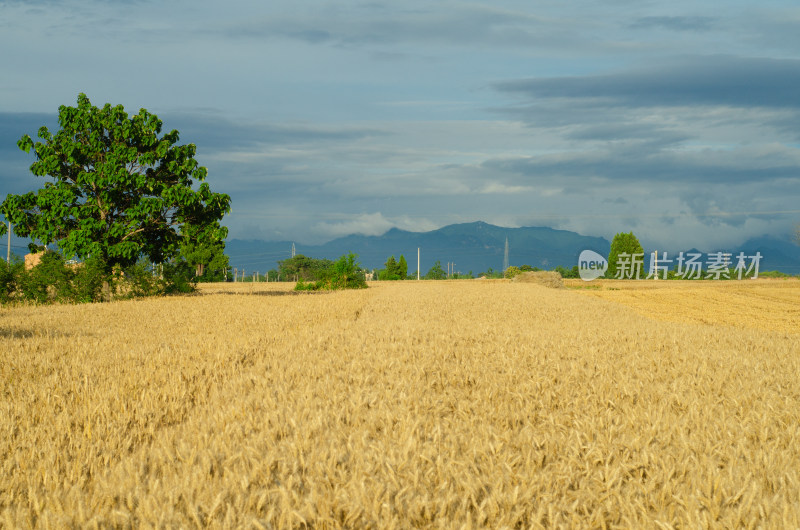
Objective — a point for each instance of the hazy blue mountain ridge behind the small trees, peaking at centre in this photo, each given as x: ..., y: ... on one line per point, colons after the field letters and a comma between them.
x: 472, y: 247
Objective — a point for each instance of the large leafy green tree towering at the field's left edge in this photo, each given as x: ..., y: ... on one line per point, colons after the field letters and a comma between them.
x: 119, y: 191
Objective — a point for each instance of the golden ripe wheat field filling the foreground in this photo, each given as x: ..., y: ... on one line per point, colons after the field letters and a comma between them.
x: 453, y: 404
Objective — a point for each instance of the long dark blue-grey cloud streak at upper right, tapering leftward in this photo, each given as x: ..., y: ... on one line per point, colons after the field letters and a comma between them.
x: 714, y: 80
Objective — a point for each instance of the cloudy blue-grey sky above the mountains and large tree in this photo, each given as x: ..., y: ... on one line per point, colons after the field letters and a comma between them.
x: 679, y: 121
